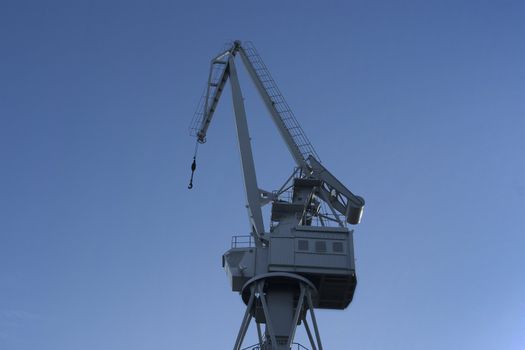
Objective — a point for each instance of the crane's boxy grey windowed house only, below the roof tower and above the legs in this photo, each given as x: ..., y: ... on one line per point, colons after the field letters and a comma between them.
x: 325, y: 256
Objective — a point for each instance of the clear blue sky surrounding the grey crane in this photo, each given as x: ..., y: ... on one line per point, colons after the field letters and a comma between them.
x: 418, y: 106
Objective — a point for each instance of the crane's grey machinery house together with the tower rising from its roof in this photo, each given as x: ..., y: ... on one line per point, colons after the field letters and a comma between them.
x: 297, y: 244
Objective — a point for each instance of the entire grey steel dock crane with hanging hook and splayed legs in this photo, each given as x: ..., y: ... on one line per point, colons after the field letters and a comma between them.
x: 305, y: 259
